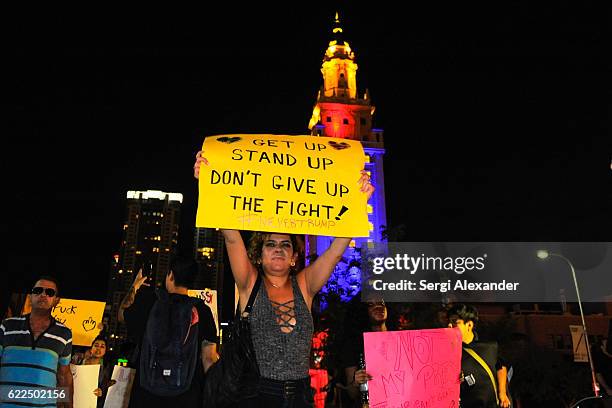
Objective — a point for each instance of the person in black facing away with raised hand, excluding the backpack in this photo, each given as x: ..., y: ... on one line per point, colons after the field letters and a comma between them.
x: 135, y: 311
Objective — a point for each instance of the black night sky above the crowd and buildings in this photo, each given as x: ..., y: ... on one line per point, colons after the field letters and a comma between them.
x: 496, y: 118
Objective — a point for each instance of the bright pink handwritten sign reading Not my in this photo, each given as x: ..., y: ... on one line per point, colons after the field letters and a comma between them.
x: 413, y: 368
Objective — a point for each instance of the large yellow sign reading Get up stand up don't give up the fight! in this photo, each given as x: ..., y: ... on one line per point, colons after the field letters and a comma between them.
x: 281, y: 183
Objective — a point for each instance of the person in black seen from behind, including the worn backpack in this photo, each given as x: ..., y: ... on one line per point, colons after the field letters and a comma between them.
x: 177, y: 344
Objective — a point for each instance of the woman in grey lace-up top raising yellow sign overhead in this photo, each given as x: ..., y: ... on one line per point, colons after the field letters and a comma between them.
x: 281, y: 321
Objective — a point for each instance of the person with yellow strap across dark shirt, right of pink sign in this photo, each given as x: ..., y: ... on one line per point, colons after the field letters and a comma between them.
x: 484, y: 376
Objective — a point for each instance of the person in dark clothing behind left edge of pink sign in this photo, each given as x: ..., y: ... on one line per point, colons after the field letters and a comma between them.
x: 369, y: 317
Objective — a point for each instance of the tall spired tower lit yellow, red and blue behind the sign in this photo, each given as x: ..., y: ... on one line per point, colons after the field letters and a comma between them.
x: 340, y: 112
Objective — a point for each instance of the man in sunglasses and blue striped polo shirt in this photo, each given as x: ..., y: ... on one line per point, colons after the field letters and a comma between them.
x: 35, y: 352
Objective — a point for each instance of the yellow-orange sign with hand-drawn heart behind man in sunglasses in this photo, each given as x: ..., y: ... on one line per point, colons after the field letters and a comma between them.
x: 83, y: 317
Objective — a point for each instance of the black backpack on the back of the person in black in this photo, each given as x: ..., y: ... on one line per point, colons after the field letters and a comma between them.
x: 169, y: 352
